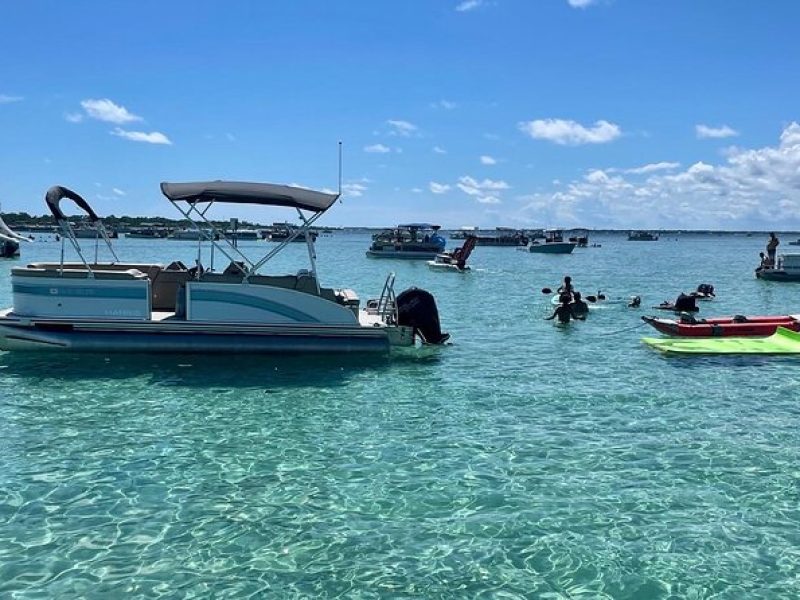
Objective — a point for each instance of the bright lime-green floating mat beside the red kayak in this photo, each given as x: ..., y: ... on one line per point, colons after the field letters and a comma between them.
x: 783, y: 341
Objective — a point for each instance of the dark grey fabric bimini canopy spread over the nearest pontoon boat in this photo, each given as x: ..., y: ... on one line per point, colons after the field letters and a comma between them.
x: 242, y: 192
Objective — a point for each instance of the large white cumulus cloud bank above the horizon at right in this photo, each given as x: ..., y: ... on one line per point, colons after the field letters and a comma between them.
x: 751, y: 188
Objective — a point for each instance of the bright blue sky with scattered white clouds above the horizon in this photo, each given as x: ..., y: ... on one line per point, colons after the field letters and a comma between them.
x: 597, y: 113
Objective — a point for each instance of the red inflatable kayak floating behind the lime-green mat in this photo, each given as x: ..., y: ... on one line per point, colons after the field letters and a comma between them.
x: 724, y: 326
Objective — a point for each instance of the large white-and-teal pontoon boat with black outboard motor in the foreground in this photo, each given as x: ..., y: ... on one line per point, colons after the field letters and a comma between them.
x: 128, y: 307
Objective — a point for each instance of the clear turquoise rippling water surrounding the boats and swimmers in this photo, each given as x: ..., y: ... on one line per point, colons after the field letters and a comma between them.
x: 525, y: 460
